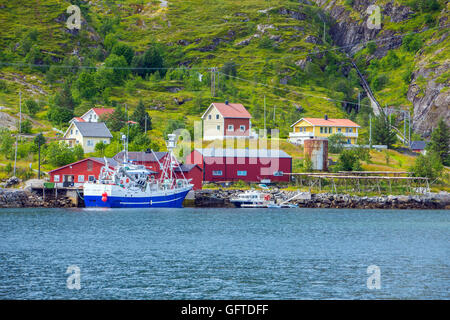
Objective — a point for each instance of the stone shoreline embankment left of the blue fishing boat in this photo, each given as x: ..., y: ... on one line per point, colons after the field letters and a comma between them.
x: 13, y: 198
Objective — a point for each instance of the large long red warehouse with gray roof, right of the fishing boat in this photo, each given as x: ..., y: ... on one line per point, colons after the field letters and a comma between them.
x: 251, y: 165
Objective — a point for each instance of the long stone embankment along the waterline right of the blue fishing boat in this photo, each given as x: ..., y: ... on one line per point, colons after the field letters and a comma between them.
x: 221, y: 198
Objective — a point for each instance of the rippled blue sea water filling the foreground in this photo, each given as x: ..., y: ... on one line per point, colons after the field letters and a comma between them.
x: 224, y: 253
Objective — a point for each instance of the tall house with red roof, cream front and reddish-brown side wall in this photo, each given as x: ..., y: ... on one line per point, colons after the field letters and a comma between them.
x: 226, y: 120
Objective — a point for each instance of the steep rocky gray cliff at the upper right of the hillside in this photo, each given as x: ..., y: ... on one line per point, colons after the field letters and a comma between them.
x: 428, y: 91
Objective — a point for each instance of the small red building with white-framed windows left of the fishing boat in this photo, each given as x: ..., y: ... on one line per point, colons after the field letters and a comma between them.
x: 77, y: 173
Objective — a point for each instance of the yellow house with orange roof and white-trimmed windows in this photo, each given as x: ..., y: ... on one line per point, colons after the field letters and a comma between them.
x: 313, y: 128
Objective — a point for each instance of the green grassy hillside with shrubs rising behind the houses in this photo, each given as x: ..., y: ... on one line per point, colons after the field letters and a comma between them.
x: 163, y: 55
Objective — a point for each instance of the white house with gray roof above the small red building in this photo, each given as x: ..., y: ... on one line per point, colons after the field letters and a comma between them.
x: 87, y: 134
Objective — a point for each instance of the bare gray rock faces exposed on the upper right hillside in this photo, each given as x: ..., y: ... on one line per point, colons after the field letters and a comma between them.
x: 431, y: 101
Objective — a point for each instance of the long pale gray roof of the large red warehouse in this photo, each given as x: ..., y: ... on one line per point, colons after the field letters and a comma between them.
x: 244, y: 153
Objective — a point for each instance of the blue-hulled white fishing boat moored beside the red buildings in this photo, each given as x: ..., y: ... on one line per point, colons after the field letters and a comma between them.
x: 134, y: 186
